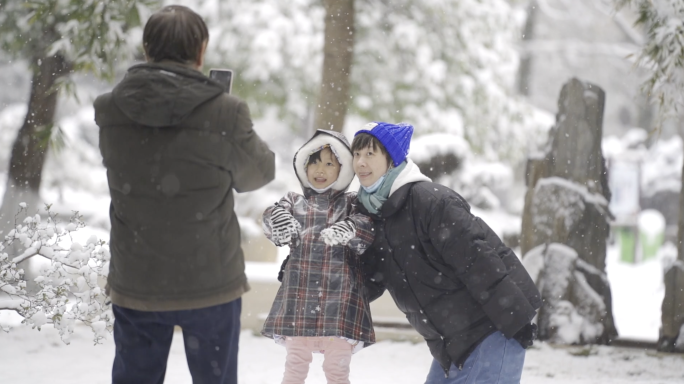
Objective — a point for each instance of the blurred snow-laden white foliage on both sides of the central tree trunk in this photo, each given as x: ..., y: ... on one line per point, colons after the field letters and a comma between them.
x: 444, y: 66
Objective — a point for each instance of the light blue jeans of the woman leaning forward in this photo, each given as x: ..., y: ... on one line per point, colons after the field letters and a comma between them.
x: 496, y: 360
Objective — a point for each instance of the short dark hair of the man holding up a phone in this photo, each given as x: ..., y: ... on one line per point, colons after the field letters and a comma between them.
x: 175, y: 33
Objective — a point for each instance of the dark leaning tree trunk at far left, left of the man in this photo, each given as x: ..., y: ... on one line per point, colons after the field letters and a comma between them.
x: 30, y: 146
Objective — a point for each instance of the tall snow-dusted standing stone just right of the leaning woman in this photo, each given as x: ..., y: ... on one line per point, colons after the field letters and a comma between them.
x: 567, y: 203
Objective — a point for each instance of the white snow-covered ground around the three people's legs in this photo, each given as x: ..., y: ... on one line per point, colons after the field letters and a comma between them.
x: 28, y: 356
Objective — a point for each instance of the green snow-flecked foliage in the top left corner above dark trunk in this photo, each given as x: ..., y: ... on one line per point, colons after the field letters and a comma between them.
x: 90, y: 34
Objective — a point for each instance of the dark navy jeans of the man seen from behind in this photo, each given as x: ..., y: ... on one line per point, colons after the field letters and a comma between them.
x: 143, y: 340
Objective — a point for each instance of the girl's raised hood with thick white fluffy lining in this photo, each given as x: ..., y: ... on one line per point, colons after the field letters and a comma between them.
x: 339, y: 146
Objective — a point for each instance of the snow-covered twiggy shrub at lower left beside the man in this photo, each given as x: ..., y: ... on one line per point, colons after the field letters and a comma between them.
x: 68, y: 287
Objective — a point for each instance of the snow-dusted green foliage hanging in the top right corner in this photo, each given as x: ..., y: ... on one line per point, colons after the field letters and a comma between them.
x: 663, y: 51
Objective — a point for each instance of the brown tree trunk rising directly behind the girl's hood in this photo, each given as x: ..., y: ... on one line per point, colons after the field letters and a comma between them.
x: 338, y: 54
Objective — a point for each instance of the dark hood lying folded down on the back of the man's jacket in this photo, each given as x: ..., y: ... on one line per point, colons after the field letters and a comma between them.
x: 163, y: 94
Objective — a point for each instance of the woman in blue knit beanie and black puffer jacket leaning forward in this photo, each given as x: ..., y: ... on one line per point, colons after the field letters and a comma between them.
x: 459, y: 286
